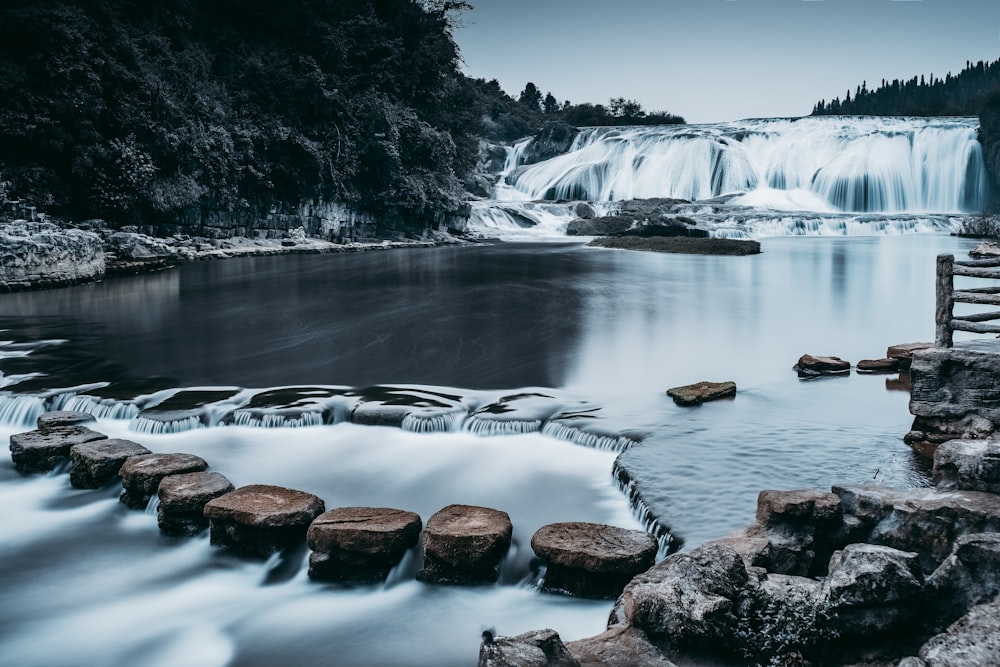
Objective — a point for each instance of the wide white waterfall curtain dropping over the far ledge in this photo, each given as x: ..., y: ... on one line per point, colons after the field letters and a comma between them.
x: 856, y: 164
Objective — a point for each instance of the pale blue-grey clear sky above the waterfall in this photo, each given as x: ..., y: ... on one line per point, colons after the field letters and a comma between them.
x: 721, y: 60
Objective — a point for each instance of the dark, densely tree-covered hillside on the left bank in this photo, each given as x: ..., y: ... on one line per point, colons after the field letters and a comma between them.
x: 140, y: 110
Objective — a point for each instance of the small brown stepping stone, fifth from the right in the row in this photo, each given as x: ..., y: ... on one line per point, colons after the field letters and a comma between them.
x: 183, y: 498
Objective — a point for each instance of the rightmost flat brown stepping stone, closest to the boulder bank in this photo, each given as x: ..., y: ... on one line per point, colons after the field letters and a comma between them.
x: 592, y: 560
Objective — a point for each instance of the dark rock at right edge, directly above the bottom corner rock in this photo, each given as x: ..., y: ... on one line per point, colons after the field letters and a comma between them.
x: 969, y: 576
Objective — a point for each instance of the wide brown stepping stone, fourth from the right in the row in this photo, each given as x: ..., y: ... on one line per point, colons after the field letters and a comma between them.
x: 259, y: 520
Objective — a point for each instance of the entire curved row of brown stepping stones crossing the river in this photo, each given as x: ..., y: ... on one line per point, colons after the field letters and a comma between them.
x: 462, y: 544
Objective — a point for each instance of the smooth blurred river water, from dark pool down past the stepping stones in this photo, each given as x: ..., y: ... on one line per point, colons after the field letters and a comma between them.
x: 85, y: 580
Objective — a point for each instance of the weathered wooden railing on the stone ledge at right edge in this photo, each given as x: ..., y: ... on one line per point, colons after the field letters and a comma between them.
x: 948, y: 296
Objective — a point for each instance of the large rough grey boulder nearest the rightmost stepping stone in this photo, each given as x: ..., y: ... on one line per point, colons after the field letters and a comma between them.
x: 689, y: 597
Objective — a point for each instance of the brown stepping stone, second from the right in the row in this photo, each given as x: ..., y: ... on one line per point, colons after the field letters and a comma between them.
x: 465, y: 544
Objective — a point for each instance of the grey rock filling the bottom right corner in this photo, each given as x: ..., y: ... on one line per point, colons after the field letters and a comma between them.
x: 972, y: 641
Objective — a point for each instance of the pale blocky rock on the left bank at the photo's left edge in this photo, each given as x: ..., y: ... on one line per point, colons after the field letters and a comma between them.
x: 43, y: 255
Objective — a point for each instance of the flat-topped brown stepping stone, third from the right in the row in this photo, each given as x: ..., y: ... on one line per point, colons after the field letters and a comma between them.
x: 360, y: 544
